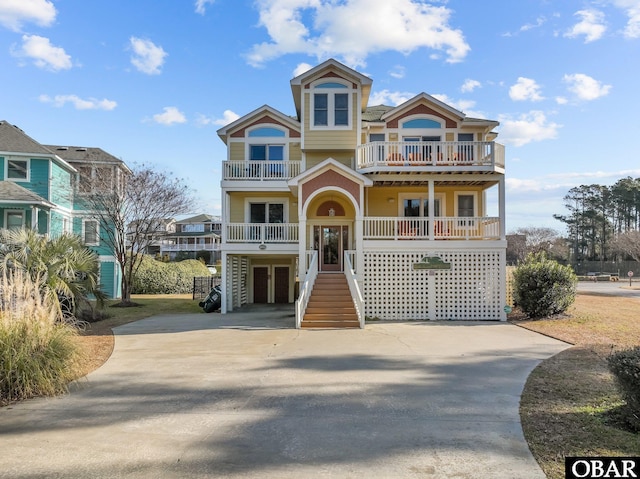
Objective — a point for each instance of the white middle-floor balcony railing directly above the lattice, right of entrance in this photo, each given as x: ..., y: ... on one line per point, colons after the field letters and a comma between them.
x: 456, y: 227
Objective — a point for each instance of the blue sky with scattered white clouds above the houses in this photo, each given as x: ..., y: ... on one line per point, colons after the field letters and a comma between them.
x: 150, y: 81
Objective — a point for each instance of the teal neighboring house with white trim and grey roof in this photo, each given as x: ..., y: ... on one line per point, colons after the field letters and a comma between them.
x: 42, y: 186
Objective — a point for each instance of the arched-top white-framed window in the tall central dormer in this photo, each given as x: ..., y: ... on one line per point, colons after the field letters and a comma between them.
x: 331, y: 106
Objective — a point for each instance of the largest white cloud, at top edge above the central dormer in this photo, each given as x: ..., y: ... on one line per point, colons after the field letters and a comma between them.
x: 354, y: 29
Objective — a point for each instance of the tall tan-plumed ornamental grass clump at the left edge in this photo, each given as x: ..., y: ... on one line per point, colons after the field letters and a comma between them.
x: 39, y: 355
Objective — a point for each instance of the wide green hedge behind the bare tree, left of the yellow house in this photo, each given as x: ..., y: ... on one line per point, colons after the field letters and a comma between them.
x: 156, y: 277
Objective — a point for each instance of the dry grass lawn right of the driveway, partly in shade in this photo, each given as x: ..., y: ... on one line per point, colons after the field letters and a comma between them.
x: 569, y: 404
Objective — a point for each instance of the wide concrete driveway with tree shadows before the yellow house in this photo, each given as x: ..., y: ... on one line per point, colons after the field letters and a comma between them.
x: 245, y: 396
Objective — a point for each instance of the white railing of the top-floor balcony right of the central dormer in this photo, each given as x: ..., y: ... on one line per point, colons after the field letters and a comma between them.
x: 430, y: 153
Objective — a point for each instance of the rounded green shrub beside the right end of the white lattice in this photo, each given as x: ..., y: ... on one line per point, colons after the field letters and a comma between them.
x: 543, y: 287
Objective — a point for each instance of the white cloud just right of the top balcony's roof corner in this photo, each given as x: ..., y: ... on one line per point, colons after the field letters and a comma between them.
x: 532, y: 126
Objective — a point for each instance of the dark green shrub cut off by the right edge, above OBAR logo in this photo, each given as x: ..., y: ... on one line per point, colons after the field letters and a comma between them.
x: 625, y: 366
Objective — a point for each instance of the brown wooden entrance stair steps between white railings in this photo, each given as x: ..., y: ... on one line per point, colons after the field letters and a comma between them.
x: 330, y: 304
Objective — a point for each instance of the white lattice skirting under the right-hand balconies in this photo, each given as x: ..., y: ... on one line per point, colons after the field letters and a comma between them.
x: 473, y: 289
